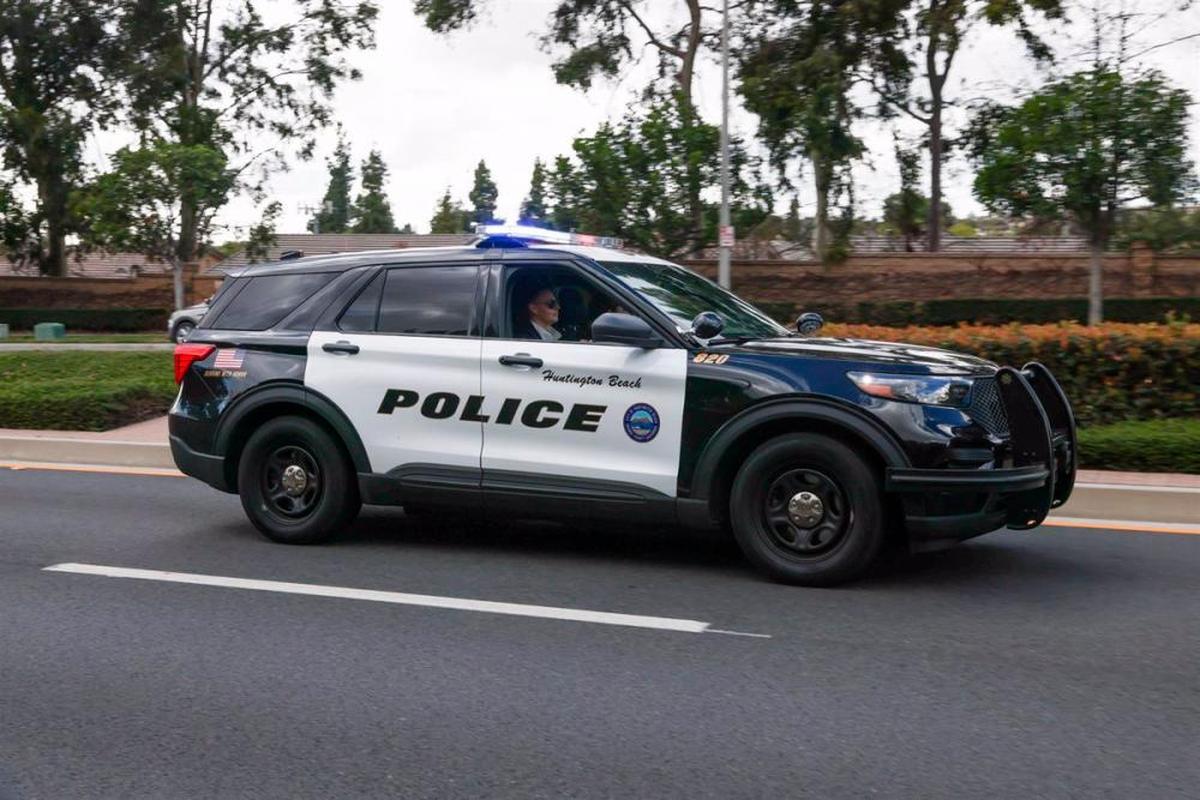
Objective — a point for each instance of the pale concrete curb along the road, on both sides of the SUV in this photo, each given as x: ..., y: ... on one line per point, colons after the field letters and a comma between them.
x: 1161, y: 504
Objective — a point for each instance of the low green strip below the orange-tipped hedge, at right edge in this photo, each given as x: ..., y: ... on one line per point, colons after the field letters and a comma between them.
x: 1148, y: 447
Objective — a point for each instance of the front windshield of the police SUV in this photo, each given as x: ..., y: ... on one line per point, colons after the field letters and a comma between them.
x: 682, y: 294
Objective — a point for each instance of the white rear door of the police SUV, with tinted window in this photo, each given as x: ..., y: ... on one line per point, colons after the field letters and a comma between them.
x: 403, y: 363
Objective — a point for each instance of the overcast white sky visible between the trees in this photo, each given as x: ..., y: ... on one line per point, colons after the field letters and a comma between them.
x: 436, y: 105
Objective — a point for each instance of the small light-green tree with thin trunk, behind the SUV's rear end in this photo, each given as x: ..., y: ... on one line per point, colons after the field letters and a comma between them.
x: 139, y: 204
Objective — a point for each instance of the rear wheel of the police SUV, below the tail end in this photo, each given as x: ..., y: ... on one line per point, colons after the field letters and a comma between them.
x: 285, y: 508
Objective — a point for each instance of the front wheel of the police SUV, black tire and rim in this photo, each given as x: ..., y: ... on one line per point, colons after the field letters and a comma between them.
x: 808, y: 544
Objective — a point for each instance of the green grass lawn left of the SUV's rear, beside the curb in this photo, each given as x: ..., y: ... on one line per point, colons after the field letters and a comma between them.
x: 83, y: 392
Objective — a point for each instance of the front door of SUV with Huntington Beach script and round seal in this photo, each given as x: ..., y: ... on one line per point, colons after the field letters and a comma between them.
x: 579, y: 417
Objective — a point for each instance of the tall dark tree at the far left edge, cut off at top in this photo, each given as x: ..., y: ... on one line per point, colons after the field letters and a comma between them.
x: 55, y: 56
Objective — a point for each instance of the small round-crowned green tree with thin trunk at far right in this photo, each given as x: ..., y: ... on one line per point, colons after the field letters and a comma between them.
x: 1082, y: 148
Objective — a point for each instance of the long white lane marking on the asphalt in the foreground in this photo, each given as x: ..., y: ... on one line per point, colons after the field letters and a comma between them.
x: 399, y: 598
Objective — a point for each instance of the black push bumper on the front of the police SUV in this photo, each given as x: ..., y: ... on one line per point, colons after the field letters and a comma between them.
x: 943, y: 507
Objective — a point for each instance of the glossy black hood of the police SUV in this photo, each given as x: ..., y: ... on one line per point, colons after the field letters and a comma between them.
x: 889, y: 353
